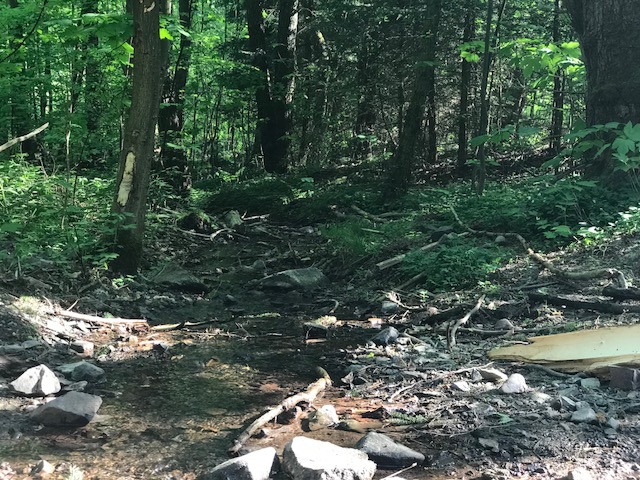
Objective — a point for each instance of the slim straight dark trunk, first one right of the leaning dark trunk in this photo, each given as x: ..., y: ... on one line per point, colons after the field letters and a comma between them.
x: 465, y: 82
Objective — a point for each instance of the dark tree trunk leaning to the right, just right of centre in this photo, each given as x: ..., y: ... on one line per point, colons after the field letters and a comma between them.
x: 402, y: 163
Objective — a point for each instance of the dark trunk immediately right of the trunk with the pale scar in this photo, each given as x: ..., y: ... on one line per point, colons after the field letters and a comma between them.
x: 173, y: 156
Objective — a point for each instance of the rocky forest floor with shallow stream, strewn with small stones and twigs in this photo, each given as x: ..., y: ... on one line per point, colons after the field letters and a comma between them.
x: 174, y: 401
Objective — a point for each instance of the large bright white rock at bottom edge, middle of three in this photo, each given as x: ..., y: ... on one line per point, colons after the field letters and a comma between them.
x: 307, y: 459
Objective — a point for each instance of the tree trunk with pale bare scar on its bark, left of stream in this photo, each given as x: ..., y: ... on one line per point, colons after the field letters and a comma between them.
x: 132, y: 183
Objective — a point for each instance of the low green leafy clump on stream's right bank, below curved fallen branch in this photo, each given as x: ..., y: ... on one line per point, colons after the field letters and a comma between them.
x: 458, y: 264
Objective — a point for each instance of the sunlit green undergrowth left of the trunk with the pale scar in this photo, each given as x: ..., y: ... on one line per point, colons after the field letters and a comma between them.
x: 46, y: 216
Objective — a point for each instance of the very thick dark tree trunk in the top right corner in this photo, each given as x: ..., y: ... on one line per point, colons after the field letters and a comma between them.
x: 610, y: 42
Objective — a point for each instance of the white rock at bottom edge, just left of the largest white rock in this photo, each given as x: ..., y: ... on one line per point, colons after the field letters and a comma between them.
x: 258, y: 465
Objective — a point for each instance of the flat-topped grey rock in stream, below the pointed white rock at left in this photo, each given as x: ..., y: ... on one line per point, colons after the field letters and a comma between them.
x: 73, y: 409
